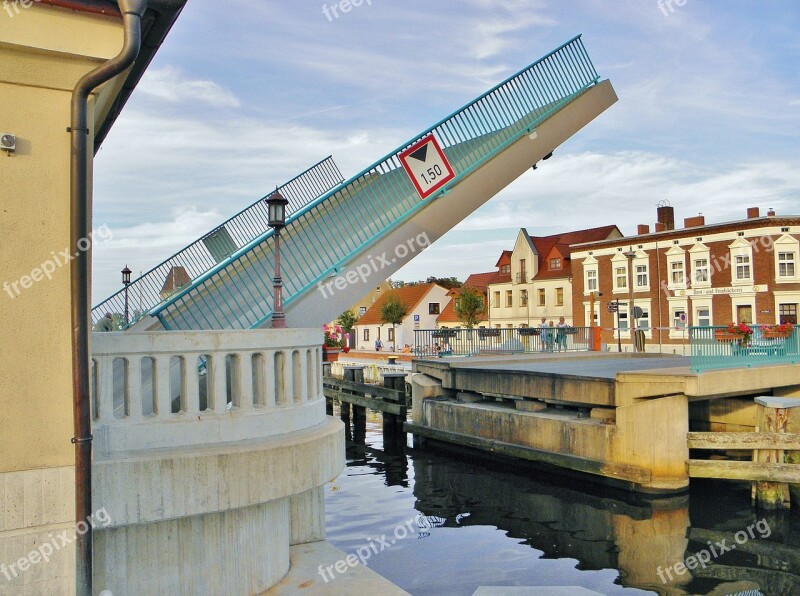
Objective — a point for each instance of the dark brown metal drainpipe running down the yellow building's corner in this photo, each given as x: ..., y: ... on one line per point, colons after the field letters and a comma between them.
x: 80, y: 213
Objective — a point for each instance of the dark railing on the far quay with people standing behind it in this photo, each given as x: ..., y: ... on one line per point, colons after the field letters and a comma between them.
x: 435, y: 343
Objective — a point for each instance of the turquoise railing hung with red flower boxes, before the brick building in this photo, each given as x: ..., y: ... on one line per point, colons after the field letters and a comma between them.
x: 717, y: 347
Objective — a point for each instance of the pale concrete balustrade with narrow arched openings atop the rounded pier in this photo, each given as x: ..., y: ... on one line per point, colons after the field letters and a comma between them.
x: 178, y: 389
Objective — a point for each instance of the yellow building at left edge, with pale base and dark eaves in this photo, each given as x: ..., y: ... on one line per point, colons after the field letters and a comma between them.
x: 45, y: 48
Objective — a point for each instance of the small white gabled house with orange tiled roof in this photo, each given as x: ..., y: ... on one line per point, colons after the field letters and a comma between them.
x: 424, y: 302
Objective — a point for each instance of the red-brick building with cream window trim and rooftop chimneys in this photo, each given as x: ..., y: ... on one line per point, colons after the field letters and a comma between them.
x: 703, y: 274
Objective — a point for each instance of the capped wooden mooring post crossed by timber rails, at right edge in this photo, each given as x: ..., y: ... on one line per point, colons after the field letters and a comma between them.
x: 773, y: 416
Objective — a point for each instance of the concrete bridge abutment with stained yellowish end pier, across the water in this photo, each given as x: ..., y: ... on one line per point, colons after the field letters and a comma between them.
x: 616, y: 418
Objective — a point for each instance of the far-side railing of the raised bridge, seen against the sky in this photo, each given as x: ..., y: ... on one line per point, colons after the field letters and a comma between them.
x: 215, y: 247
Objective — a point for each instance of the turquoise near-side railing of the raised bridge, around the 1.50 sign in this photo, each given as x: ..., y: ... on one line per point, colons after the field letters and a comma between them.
x: 328, y: 233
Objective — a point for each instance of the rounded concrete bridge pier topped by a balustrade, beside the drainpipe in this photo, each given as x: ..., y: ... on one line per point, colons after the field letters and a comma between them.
x: 208, y: 446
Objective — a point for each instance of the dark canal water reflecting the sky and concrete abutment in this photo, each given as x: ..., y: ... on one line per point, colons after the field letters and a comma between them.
x: 446, y: 522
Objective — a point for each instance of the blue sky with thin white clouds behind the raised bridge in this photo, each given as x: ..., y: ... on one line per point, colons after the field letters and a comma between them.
x: 246, y: 94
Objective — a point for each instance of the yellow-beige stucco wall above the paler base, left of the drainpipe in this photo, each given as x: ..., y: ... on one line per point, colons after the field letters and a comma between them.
x: 43, y: 52
